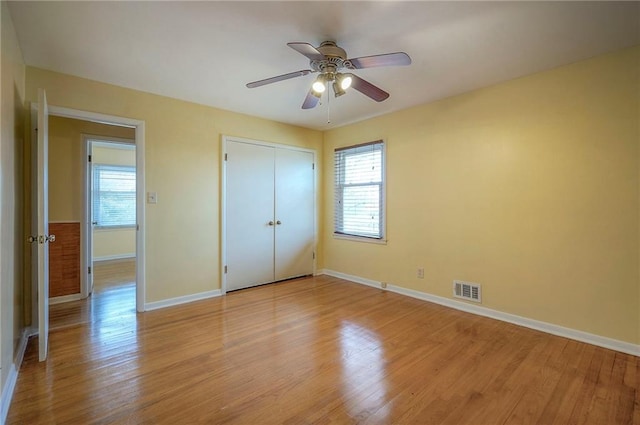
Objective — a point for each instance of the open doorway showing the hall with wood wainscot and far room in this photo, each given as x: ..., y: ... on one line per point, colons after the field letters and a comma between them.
x: 92, y: 174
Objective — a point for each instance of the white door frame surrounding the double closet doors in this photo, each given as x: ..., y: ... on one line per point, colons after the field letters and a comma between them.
x: 223, y: 201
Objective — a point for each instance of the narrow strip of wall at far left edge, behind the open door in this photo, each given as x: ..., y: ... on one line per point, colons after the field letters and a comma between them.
x: 12, y: 233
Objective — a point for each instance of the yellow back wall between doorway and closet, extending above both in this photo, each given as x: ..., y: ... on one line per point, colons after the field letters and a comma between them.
x: 182, y: 164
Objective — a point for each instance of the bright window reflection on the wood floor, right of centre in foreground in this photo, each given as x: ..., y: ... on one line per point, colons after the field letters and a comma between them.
x: 364, y: 384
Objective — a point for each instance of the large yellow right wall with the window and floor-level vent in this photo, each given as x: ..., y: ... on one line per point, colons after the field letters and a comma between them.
x: 529, y: 188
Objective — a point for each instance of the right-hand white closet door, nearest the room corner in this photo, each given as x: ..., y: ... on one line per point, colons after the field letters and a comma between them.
x: 295, y: 204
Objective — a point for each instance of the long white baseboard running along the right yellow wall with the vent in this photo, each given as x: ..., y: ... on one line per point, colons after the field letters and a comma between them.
x: 601, y: 341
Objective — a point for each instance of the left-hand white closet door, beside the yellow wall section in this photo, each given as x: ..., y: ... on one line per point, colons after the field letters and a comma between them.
x: 249, y: 212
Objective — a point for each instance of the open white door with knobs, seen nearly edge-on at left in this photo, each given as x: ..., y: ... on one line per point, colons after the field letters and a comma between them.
x: 41, y: 221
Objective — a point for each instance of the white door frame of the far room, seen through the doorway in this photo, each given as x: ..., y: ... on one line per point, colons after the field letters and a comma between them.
x: 86, y: 230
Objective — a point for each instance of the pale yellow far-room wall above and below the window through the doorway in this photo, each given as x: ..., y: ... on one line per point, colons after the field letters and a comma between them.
x: 114, y: 243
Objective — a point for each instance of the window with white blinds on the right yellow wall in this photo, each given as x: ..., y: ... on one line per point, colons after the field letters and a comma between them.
x: 359, y: 191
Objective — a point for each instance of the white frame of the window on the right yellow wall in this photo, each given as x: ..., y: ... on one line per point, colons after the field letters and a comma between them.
x: 338, y: 190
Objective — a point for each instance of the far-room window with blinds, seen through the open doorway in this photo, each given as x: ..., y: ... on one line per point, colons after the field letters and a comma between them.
x: 114, y: 195
